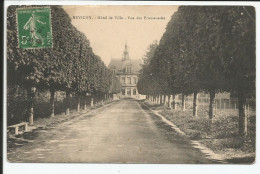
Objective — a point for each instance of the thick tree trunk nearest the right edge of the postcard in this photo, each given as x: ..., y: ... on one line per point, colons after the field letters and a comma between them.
x: 241, y: 120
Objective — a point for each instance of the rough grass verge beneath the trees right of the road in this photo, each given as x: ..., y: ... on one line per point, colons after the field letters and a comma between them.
x: 220, y: 135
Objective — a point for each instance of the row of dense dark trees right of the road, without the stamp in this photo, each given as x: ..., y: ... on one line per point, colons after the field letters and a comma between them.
x: 210, y: 49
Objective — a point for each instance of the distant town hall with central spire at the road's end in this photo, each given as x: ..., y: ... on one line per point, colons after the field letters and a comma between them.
x: 127, y: 70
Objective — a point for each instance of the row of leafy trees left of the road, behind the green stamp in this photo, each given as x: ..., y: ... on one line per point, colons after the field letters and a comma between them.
x: 69, y: 66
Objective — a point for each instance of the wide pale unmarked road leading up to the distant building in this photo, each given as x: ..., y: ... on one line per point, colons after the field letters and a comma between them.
x: 120, y: 133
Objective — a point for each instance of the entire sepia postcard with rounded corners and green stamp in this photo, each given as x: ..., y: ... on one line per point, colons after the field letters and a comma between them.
x: 131, y: 84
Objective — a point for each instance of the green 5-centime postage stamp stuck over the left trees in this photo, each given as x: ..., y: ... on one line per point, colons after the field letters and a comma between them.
x: 34, y: 27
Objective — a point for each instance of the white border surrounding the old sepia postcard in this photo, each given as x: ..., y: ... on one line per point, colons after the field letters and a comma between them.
x: 47, y: 168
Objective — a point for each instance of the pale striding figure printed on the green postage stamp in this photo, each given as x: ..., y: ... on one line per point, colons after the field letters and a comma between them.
x: 31, y: 25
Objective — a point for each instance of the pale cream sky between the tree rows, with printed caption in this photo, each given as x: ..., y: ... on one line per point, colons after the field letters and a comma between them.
x: 108, y: 35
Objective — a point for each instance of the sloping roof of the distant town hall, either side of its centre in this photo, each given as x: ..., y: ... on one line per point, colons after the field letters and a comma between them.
x: 117, y: 64
